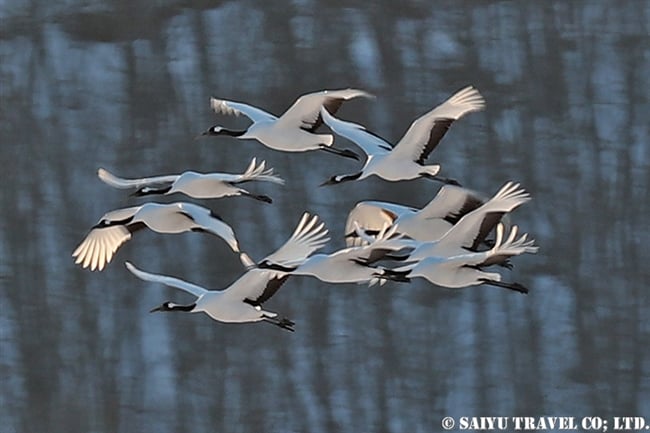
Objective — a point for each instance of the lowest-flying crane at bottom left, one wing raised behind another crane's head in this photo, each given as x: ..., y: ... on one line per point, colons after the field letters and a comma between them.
x: 242, y: 301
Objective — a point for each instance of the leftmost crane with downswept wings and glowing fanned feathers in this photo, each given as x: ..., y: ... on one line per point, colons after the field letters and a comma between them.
x: 116, y: 227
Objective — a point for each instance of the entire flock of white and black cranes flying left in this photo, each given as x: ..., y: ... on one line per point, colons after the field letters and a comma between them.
x: 445, y: 242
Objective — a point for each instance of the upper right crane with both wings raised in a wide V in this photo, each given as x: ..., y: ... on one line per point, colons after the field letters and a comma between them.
x: 406, y: 159
